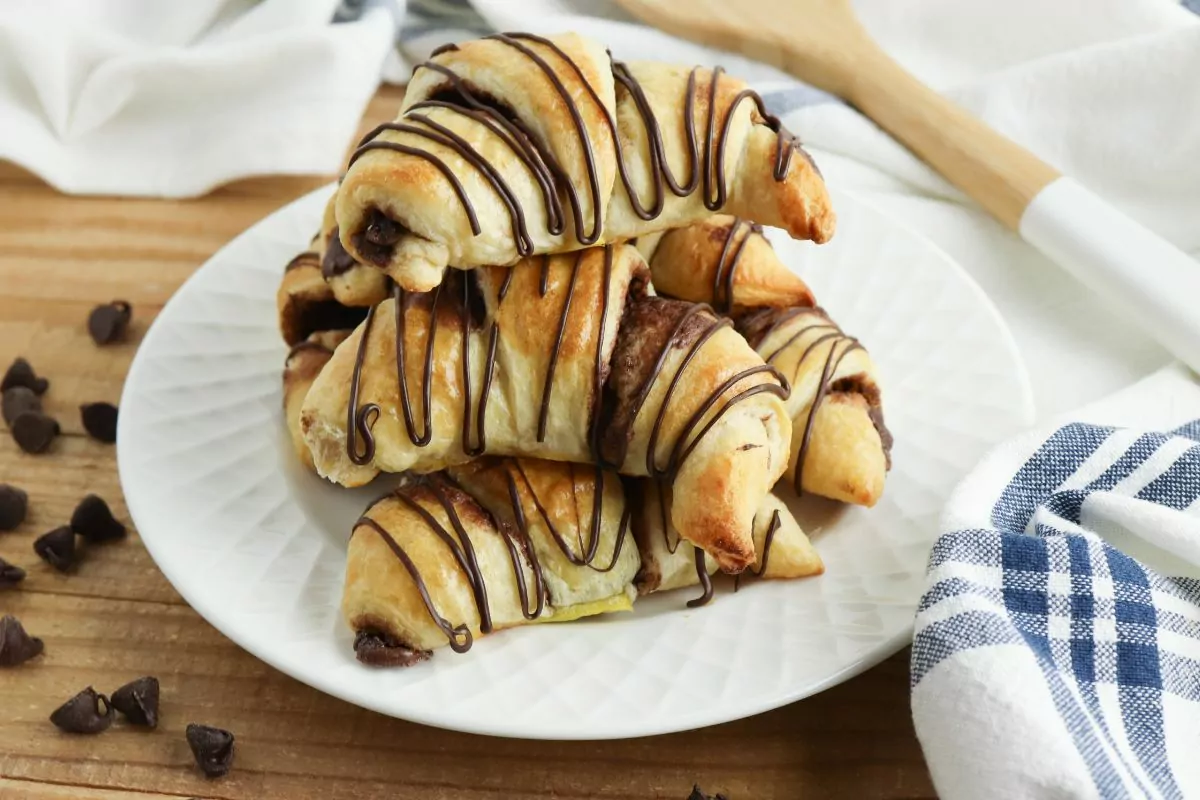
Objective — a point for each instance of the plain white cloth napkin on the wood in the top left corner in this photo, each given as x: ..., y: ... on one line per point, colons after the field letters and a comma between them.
x: 175, y: 99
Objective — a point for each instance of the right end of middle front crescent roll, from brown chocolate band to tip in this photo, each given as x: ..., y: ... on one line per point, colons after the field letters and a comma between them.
x: 721, y: 432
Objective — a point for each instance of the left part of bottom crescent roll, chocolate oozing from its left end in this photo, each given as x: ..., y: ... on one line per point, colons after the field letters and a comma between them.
x: 454, y: 556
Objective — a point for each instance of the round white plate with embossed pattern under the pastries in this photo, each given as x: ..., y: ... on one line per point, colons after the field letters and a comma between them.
x: 256, y: 545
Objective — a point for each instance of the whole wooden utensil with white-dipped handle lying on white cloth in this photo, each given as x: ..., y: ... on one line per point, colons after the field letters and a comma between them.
x: 824, y: 44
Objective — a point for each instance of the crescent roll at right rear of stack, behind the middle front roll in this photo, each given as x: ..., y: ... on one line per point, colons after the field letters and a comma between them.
x: 845, y: 448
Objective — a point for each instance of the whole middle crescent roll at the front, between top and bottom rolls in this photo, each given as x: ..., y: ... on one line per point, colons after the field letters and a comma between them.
x: 560, y: 358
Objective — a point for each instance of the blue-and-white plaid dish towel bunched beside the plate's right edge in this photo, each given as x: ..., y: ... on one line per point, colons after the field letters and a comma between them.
x: 1058, y: 648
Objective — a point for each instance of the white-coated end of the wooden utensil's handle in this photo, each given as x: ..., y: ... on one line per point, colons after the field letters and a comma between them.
x: 1135, y: 269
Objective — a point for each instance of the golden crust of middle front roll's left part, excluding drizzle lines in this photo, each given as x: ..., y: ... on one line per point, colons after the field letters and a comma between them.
x: 527, y: 329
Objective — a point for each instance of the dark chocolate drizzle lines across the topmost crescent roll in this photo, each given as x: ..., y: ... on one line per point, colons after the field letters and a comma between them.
x: 707, y: 160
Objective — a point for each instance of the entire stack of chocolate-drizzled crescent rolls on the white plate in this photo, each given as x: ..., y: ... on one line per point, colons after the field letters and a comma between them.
x: 530, y: 298
